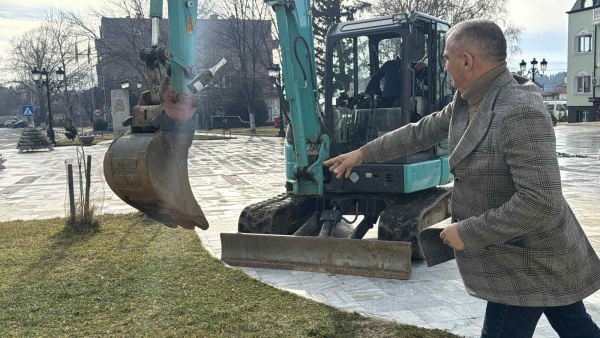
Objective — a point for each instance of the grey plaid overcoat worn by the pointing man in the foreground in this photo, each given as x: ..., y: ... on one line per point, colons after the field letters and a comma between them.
x: 523, y: 244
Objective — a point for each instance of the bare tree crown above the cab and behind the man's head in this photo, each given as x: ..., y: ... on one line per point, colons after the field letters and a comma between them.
x: 455, y: 11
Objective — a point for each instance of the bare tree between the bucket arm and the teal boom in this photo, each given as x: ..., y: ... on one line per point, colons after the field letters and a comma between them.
x: 246, y: 41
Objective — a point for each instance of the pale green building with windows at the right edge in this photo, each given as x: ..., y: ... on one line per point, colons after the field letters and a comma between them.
x: 583, y: 76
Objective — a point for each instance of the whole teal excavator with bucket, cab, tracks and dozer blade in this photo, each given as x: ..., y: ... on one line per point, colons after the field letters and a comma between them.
x: 320, y: 223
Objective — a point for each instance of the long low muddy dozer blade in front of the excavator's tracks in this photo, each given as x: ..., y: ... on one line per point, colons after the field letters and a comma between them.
x: 373, y: 258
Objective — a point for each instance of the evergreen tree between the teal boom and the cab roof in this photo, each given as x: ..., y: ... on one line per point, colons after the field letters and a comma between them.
x: 325, y: 14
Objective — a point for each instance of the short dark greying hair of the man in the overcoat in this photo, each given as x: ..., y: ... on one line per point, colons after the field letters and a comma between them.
x: 483, y: 35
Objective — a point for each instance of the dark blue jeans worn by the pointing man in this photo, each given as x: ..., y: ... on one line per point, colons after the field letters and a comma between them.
x: 506, y: 321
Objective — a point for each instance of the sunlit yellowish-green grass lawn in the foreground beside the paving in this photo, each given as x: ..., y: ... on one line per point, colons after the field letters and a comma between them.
x: 136, y: 278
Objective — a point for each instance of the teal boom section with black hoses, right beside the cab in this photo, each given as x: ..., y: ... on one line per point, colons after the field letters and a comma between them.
x: 310, y: 144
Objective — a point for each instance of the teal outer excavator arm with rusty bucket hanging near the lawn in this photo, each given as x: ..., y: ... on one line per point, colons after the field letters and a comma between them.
x: 147, y: 167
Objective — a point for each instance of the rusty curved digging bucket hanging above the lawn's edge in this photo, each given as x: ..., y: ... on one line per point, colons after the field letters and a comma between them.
x: 149, y: 172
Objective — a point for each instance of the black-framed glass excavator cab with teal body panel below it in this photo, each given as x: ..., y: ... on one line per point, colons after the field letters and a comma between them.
x: 356, y: 55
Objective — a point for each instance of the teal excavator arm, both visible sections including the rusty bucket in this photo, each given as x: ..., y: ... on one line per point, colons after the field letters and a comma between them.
x: 147, y: 168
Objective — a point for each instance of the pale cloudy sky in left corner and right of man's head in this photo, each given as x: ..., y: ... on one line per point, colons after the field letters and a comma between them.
x: 544, y: 23
